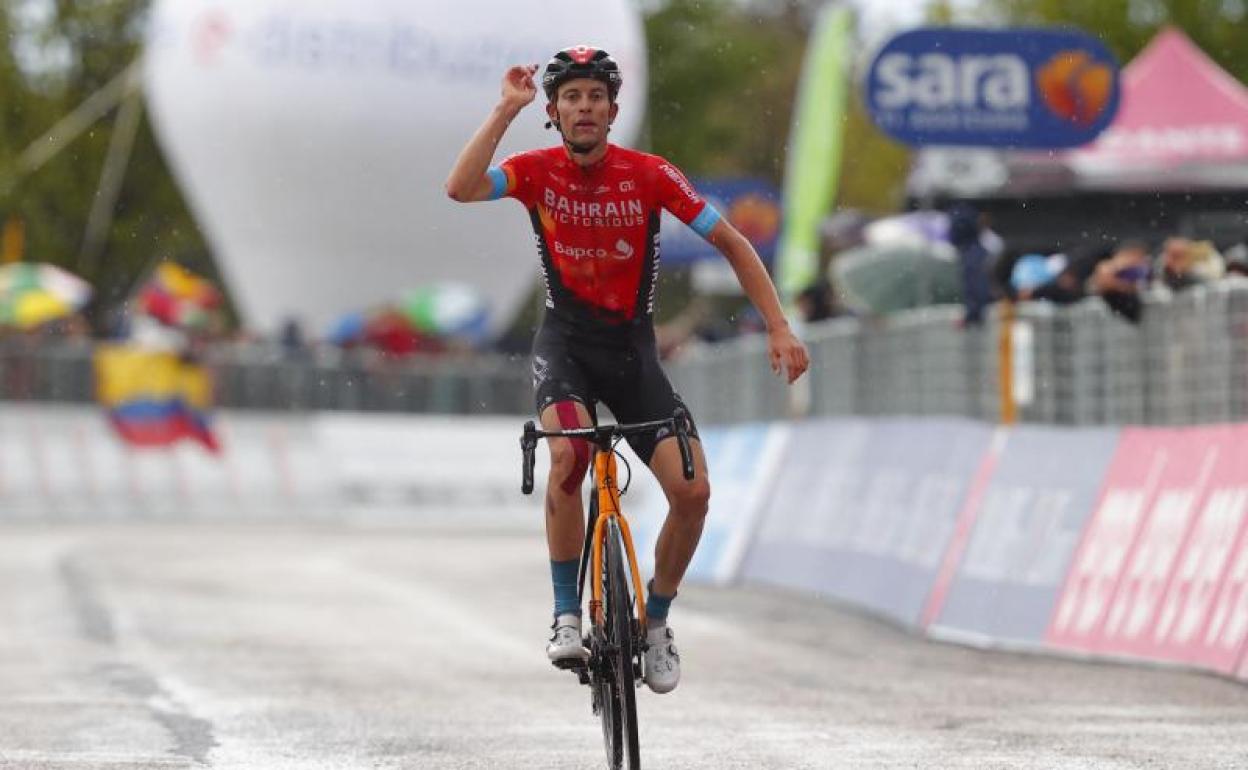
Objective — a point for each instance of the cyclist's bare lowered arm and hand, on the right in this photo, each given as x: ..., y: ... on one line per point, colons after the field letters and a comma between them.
x: 786, y: 353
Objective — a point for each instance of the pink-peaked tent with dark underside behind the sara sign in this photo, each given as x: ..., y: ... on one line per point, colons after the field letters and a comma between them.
x: 1175, y: 158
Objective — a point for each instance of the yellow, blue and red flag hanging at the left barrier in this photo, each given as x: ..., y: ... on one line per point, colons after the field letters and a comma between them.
x: 154, y: 399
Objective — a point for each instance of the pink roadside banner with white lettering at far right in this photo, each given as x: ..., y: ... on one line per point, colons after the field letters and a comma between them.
x: 1163, y: 570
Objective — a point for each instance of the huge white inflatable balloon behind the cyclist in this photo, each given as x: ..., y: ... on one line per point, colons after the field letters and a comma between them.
x: 313, y: 139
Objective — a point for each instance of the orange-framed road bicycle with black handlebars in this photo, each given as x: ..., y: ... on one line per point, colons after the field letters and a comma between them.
x: 617, y: 607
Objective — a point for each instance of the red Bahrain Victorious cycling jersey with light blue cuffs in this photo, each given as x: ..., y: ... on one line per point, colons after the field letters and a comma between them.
x: 598, y: 228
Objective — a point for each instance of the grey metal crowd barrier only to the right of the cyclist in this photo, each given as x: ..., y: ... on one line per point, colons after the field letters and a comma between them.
x: 1185, y: 364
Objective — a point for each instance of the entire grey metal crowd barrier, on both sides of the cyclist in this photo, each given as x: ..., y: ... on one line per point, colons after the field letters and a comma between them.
x: 1185, y: 364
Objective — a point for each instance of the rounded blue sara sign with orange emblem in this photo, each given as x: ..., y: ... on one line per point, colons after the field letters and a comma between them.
x: 1016, y: 88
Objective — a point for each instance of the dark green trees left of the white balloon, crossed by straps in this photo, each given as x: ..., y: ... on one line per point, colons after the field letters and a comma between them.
x: 82, y: 48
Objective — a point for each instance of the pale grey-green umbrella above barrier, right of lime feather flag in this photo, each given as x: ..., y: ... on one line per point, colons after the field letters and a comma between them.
x: 889, y: 279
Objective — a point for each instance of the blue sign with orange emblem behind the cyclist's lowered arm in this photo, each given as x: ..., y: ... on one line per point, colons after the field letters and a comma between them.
x: 753, y: 207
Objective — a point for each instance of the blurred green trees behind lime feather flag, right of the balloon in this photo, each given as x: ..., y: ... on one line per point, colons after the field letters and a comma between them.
x: 723, y: 82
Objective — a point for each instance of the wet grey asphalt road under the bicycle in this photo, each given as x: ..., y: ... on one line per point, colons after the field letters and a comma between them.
x: 160, y: 646
